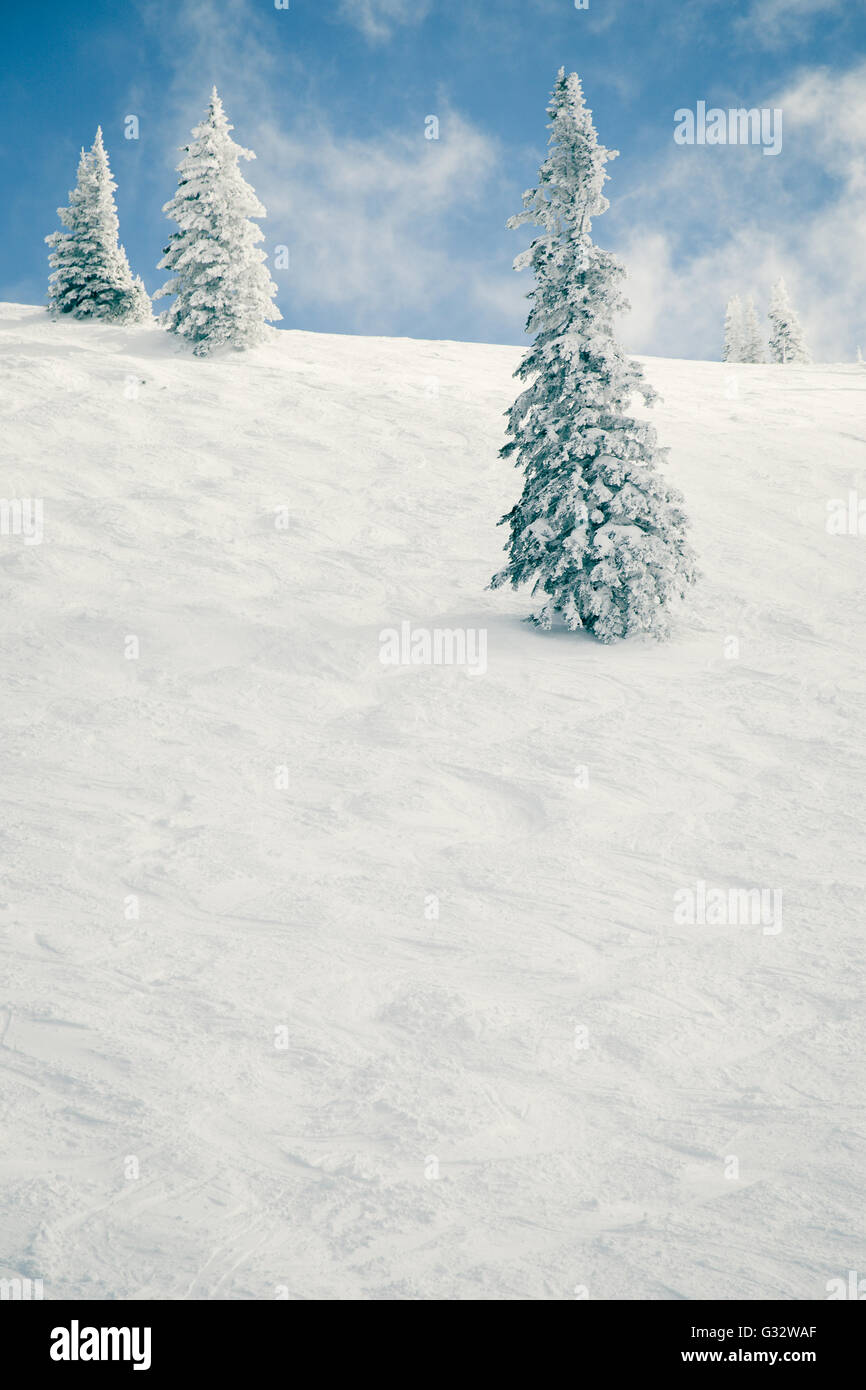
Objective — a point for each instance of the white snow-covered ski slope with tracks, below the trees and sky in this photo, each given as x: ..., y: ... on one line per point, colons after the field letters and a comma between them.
x: 326, y: 1090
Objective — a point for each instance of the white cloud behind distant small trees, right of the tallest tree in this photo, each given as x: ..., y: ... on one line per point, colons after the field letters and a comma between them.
x: 682, y: 272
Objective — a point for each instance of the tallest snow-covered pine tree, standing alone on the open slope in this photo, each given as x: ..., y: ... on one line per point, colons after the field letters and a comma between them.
x: 596, y: 530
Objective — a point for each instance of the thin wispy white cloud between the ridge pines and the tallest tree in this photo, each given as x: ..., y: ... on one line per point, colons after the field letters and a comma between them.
x: 370, y: 222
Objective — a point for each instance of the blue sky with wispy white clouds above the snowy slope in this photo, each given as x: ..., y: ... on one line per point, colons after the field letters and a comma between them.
x: 390, y: 233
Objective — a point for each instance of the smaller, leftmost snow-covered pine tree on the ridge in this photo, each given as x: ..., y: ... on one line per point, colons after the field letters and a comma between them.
x: 91, y: 276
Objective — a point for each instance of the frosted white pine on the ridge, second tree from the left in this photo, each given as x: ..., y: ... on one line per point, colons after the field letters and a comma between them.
x: 224, y: 293
